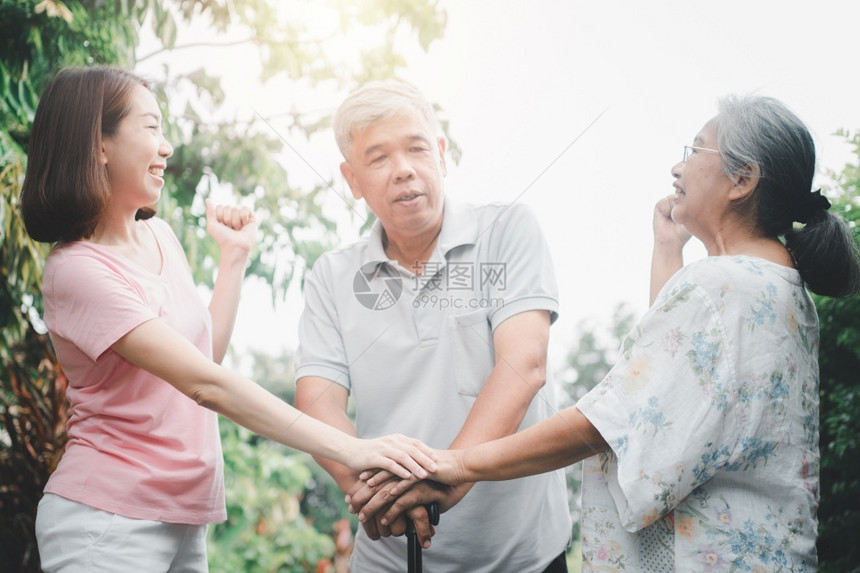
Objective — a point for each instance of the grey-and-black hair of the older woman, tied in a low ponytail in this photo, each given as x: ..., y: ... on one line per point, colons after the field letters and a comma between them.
x: 756, y: 133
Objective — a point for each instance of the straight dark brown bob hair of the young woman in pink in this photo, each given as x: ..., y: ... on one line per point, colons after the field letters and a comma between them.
x: 66, y: 187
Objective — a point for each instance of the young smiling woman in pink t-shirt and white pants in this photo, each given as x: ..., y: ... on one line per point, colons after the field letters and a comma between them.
x: 142, y: 474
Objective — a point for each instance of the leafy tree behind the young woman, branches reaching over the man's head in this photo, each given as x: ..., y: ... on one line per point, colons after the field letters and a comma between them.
x: 212, y: 150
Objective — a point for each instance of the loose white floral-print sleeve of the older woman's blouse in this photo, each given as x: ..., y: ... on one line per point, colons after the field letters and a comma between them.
x: 665, y: 408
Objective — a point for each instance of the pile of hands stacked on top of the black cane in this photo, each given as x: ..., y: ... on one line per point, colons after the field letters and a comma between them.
x: 384, y: 498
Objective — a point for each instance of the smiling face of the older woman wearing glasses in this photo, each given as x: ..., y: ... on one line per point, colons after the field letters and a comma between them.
x: 701, y: 186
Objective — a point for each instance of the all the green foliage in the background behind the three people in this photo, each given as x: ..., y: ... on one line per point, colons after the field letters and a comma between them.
x: 283, y: 510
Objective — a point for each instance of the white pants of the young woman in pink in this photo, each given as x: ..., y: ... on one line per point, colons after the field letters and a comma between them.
x: 77, y: 538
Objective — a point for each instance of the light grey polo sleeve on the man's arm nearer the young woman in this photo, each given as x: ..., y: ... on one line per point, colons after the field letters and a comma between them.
x: 321, y: 350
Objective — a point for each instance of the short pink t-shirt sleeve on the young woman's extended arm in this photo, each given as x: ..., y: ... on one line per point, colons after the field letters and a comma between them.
x: 91, y: 304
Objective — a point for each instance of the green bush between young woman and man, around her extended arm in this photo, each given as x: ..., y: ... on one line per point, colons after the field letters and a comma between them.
x: 282, y: 507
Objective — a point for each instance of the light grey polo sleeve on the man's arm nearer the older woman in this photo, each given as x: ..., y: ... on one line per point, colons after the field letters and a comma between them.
x: 520, y: 270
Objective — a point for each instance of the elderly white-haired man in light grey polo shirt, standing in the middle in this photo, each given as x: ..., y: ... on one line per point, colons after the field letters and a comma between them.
x: 437, y: 324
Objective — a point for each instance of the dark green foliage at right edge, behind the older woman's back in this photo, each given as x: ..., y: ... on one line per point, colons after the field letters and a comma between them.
x: 839, y: 362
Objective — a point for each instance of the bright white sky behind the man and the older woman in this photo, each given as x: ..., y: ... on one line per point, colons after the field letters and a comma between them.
x: 522, y: 81
